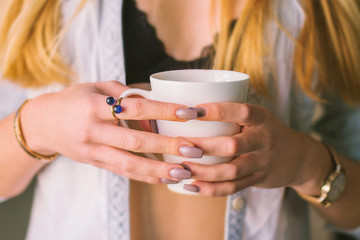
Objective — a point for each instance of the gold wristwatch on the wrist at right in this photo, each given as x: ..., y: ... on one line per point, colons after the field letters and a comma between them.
x: 333, y: 186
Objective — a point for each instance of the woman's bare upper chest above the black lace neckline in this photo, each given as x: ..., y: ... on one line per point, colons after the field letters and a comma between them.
x: 185, y: 27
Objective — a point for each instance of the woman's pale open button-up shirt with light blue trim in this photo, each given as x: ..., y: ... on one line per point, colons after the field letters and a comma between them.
x: 77, y: 201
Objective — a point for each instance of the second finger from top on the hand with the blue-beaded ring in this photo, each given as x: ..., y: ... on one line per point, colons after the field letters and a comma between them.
x: 139, y: 141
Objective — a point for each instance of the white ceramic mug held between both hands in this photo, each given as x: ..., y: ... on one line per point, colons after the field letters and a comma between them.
x: 192, y: 87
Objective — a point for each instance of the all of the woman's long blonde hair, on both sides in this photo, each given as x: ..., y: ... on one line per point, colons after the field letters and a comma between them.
x: 329, y: 44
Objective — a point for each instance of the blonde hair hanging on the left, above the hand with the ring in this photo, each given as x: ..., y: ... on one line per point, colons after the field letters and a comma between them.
x: 30, y: 35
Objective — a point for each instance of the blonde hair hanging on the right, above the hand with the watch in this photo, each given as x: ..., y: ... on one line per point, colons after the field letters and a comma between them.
x: 328, y: 45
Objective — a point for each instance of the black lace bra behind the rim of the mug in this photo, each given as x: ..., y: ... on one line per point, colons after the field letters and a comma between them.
x: 145, y: 53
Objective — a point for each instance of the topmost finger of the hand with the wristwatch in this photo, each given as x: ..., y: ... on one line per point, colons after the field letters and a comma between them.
x: 242, y: 113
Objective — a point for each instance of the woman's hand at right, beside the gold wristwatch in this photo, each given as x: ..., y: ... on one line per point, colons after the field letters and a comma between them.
x: 268, y: 154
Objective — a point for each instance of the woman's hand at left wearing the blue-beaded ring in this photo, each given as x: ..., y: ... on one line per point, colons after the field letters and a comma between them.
x: 77, y: 122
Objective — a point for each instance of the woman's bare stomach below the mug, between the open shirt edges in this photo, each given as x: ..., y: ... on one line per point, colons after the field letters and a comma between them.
x: 159, y: 214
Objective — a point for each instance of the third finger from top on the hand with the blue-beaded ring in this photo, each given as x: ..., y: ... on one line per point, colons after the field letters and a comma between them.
x: 127, y: 164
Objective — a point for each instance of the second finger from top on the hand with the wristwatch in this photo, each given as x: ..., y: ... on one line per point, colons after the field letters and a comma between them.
x: 228, y: 146
